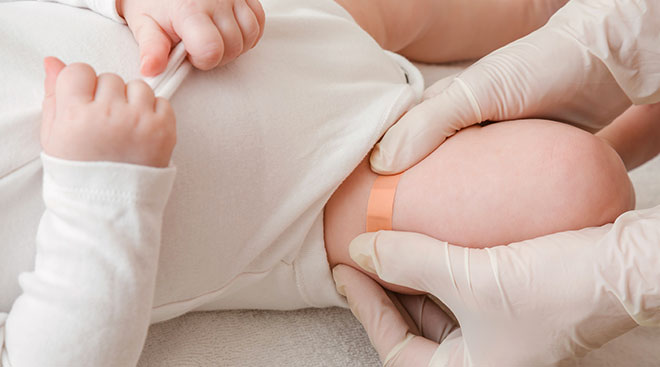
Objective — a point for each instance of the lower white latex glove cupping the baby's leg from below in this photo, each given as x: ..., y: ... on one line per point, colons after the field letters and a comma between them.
x: 537, y: 302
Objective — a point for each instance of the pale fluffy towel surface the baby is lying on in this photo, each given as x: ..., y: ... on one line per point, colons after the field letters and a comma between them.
x: 332, y: 337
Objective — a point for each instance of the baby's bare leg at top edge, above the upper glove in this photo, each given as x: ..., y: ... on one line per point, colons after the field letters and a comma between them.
x: 448, y: 30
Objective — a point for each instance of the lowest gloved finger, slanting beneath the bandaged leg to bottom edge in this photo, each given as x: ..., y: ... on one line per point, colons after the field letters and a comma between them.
x: 386, y: 328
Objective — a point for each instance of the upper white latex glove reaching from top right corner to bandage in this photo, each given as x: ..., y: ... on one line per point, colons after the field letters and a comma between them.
x: 583, y: 67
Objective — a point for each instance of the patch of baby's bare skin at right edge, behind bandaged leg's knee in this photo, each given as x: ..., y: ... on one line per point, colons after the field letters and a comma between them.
x: 635, y: 135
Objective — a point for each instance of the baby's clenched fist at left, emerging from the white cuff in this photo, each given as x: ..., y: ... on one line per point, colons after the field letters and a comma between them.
x: 90, y: 118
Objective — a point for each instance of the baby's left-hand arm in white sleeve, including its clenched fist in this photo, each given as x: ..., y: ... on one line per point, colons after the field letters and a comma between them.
x: 88, y: 300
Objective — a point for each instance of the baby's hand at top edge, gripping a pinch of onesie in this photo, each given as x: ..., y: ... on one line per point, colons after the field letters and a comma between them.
x: 214, y: 32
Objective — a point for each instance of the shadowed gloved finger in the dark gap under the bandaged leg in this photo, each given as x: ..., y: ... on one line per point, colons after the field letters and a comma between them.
x: 430, y: 319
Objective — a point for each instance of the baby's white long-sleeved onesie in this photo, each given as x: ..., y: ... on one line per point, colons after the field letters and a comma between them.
x: 262, y: 144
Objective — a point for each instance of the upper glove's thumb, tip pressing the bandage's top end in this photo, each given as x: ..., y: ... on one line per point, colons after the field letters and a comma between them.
x: 422, y: 129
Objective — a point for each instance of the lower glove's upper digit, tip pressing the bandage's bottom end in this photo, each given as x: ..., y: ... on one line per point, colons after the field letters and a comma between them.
x: 408, y: 259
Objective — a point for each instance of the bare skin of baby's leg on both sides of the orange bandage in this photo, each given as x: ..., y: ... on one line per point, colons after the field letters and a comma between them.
x: 492, y: 185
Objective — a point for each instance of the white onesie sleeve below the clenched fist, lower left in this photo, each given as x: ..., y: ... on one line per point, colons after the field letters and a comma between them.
x: 88, y: 300
